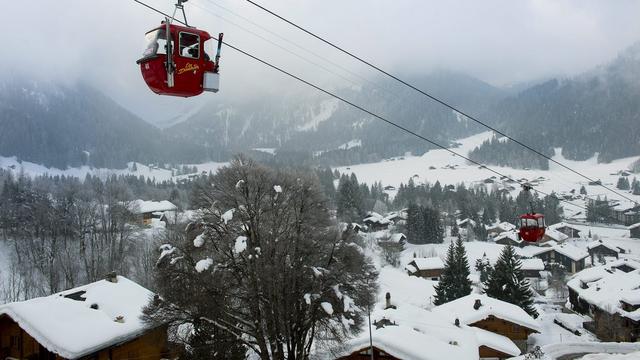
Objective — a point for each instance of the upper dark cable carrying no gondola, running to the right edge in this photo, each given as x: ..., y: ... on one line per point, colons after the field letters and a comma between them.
x: 434, y: 98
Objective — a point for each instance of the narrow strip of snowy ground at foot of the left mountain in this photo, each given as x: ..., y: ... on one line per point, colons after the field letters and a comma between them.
x: 150, y: 172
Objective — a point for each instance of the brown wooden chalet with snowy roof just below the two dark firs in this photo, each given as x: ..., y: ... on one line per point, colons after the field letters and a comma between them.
x: 492, y: 315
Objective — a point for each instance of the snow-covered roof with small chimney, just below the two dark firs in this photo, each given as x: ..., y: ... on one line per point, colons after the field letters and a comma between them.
x: 463, y: 309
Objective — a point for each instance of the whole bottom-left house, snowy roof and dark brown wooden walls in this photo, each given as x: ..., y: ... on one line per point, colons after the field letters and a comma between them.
x: 100, y: 320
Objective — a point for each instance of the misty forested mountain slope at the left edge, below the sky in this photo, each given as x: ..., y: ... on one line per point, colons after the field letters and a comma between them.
x: 70, y: 125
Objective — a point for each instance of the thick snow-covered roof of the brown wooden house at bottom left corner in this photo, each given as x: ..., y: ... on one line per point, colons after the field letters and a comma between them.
x: 72, y: 328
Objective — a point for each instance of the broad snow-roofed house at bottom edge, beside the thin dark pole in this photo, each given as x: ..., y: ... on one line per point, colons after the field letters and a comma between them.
x: 407, y: 332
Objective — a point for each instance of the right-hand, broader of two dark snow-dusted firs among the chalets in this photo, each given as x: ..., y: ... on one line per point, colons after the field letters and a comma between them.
x: 506, y: 282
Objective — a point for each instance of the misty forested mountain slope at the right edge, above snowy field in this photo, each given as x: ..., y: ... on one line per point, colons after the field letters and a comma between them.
x: 597, y: 112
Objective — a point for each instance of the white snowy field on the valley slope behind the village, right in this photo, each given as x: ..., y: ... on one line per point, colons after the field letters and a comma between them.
x: 451, y: 169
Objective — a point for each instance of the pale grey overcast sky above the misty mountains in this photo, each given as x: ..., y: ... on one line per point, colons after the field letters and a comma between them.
x: 501, y: 42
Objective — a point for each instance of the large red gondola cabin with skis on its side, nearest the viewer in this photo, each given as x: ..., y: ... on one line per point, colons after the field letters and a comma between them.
x: 181, y: 66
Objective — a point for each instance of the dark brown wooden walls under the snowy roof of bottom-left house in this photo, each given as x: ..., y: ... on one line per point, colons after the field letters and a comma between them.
x: 16, y: 343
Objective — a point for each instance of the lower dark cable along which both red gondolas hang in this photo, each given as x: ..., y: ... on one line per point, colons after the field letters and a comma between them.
x: 354, y: 105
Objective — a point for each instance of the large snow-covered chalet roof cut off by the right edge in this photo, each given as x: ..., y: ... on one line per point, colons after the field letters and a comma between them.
x: 605, y: 286
